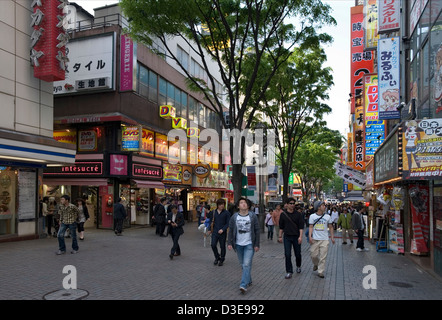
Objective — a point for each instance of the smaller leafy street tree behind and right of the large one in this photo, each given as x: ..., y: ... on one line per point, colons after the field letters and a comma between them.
x: 294, y: 103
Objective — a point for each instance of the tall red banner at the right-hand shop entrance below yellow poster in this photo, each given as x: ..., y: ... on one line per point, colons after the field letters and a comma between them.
x: 419, y: 204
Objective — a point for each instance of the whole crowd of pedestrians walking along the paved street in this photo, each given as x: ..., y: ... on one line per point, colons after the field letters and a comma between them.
x: 234, y: 229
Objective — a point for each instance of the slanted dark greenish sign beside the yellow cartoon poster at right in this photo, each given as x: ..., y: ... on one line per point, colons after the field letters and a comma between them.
x: 386, y: 160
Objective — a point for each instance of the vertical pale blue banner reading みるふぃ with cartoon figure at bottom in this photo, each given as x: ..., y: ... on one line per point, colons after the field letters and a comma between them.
x: 388, y: 80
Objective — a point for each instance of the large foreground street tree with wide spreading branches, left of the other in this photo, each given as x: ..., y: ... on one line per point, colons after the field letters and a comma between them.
x: 238, y: 35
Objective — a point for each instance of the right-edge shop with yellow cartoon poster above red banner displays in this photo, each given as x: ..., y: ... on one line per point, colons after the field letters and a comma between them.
x: 407, y: 180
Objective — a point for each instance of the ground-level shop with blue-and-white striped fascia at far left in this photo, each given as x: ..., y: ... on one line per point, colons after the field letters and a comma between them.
x: 22, y: 159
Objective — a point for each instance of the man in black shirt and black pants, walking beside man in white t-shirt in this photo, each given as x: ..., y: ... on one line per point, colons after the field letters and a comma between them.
x: 291, y: 224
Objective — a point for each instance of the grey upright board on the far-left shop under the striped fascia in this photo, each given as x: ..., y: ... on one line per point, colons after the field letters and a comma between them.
x: 27, y: 183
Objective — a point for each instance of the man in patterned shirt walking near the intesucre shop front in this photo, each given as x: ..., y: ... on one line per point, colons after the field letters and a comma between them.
x: 68, y: 219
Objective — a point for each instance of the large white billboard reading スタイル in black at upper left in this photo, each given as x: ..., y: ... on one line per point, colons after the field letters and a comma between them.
x: 91, y: 65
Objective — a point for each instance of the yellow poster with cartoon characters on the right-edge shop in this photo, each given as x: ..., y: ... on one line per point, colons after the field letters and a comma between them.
x: 422, y: 154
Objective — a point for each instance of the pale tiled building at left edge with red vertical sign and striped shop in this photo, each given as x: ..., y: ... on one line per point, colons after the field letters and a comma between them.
x: 27, y: 116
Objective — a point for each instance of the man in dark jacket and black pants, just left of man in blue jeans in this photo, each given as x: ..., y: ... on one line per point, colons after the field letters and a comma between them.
x: 219, y: 219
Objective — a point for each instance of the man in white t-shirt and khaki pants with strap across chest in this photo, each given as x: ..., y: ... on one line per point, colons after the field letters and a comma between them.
x: 320, y: 224
